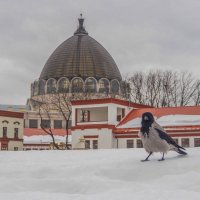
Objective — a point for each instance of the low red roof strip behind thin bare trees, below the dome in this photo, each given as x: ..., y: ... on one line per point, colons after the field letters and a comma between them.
x: 37, y: 131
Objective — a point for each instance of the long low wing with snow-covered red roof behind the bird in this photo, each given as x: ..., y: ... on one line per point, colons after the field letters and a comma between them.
x: 181, y: 123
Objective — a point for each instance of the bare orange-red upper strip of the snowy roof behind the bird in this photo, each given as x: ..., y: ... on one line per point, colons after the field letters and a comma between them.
x: 158, y: 112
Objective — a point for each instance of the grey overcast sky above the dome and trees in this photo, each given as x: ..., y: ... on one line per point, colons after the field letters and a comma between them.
x: 139, y: 34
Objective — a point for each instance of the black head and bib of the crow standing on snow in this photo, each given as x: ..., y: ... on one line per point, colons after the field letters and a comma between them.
x: 147, y: 120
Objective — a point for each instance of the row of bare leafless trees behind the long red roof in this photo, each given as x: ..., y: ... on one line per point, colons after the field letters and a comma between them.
x: 164, y: 88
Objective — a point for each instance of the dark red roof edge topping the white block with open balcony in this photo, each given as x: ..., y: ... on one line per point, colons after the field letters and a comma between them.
x: 109, y: 100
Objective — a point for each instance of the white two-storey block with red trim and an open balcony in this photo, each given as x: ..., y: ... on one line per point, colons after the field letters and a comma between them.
x: 93, y: 122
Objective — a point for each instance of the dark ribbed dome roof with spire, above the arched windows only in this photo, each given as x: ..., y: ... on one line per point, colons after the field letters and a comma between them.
x: 80, y: 56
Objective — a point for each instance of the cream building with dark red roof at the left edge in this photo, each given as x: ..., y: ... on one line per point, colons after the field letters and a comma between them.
x: 11, y: 130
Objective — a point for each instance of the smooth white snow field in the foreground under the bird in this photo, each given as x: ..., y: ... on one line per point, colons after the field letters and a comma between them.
x: 116, y: 174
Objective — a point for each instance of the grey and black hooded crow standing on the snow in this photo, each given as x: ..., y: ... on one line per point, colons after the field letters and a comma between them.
x: 155, y: 139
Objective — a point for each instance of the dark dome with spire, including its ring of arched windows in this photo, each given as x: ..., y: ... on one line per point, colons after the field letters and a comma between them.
x: 79, y: 65
